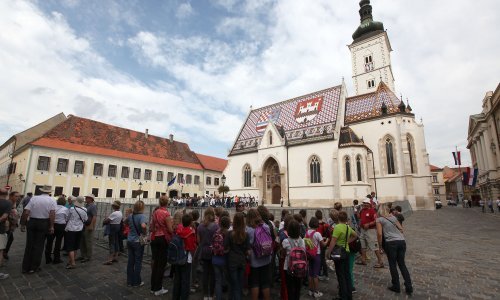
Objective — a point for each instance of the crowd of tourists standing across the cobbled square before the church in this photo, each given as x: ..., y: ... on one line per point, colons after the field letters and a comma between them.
x: 239, y: 256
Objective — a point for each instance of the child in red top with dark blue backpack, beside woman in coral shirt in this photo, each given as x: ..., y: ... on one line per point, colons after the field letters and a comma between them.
x: 182, y: 272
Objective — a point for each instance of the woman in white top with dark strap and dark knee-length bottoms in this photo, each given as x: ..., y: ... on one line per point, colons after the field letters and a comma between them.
x: 76, y: 218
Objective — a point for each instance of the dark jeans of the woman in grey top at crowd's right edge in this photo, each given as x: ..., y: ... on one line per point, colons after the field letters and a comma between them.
x: 396, y: 256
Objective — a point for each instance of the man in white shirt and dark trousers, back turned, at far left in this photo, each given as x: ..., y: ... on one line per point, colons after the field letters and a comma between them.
x: 41, y: 213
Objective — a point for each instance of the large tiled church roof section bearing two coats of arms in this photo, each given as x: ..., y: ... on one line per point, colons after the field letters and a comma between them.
x: 309, y: 116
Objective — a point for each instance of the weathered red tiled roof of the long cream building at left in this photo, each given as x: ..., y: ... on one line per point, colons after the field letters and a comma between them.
x: 92, y: 137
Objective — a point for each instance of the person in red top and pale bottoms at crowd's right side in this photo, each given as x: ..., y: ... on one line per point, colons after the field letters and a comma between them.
x: 368, y: 235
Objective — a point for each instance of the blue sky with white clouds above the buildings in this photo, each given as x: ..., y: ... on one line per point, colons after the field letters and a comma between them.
x: 194, y: 68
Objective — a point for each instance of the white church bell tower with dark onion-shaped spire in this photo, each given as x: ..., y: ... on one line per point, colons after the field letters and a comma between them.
x: 370, y: 53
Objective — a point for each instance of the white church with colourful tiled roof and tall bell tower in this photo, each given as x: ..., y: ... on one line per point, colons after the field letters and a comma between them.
x: 324, y: 147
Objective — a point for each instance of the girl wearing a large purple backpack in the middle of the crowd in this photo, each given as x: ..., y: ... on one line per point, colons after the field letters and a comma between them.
x: 260, y: 263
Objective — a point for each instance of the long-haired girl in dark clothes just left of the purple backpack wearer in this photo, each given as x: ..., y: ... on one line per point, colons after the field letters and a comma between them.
x: 238, y: 245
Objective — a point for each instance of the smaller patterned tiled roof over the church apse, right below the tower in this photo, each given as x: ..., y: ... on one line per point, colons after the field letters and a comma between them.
x: 367, y: 106
